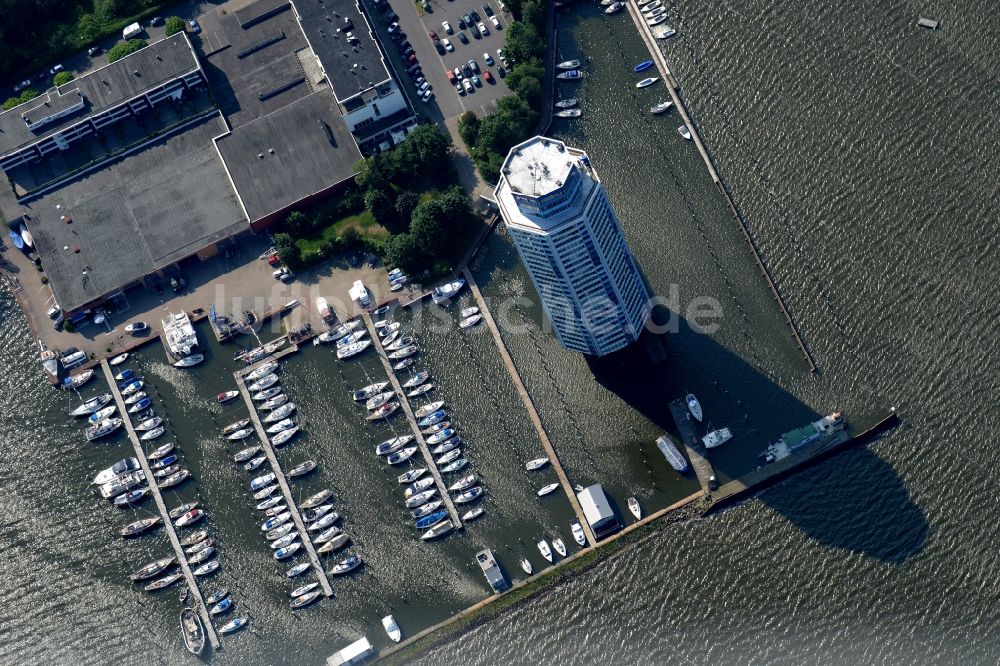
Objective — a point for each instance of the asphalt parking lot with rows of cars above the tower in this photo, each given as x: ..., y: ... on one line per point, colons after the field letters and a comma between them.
x: 447, y: 102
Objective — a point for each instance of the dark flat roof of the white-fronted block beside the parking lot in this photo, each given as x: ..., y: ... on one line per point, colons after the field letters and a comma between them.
x: 350, y: 67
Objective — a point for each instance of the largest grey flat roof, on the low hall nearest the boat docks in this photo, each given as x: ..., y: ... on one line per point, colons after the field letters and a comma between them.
x: 135, y: 216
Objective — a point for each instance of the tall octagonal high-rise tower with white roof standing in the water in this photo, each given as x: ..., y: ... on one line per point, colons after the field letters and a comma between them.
x: 568, y: 237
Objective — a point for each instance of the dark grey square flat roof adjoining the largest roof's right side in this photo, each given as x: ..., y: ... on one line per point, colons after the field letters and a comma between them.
x: 312, y: 150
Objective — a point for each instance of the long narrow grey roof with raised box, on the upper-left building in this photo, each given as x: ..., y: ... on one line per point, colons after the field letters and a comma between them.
x: 101, y: 89
